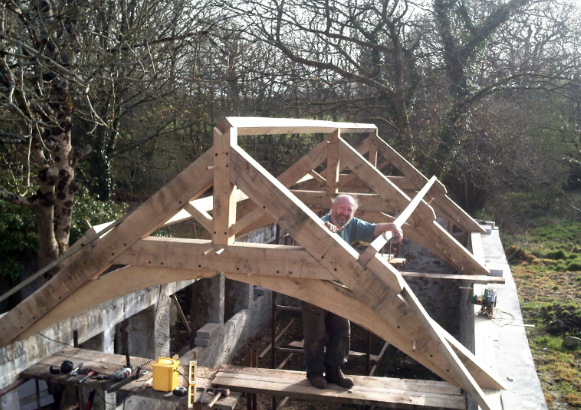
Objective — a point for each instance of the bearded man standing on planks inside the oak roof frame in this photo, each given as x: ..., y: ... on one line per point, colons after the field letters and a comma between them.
x: 318, y: 322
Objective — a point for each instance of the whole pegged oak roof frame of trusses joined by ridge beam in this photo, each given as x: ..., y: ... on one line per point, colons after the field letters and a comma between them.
x: 246, y: 197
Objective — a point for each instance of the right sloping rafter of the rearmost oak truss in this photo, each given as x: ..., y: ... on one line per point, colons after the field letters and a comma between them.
x: 458, y: 216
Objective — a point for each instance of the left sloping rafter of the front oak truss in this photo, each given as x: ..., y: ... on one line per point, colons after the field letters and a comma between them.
x: 90, y: 263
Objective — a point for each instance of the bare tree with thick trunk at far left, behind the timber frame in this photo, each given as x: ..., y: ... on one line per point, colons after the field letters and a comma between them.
x: 71, y: 73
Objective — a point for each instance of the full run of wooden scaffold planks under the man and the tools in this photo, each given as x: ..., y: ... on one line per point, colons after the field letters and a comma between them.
x: 374, y: 391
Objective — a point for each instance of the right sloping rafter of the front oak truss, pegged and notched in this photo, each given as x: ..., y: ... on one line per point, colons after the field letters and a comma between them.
x: 377, y: 286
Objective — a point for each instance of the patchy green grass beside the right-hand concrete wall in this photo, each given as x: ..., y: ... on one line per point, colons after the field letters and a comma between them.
x: 546, y: 265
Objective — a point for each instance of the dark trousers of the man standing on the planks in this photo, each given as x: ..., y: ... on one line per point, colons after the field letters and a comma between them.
x: 318, y: 323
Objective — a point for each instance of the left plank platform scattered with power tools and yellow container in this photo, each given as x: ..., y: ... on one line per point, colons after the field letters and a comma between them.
x: 106, y: 363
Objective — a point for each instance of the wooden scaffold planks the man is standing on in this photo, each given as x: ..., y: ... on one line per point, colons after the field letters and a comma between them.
x: 373, y: 391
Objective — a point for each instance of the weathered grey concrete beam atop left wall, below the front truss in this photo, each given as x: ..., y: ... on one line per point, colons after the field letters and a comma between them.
x: 20, y: 355
